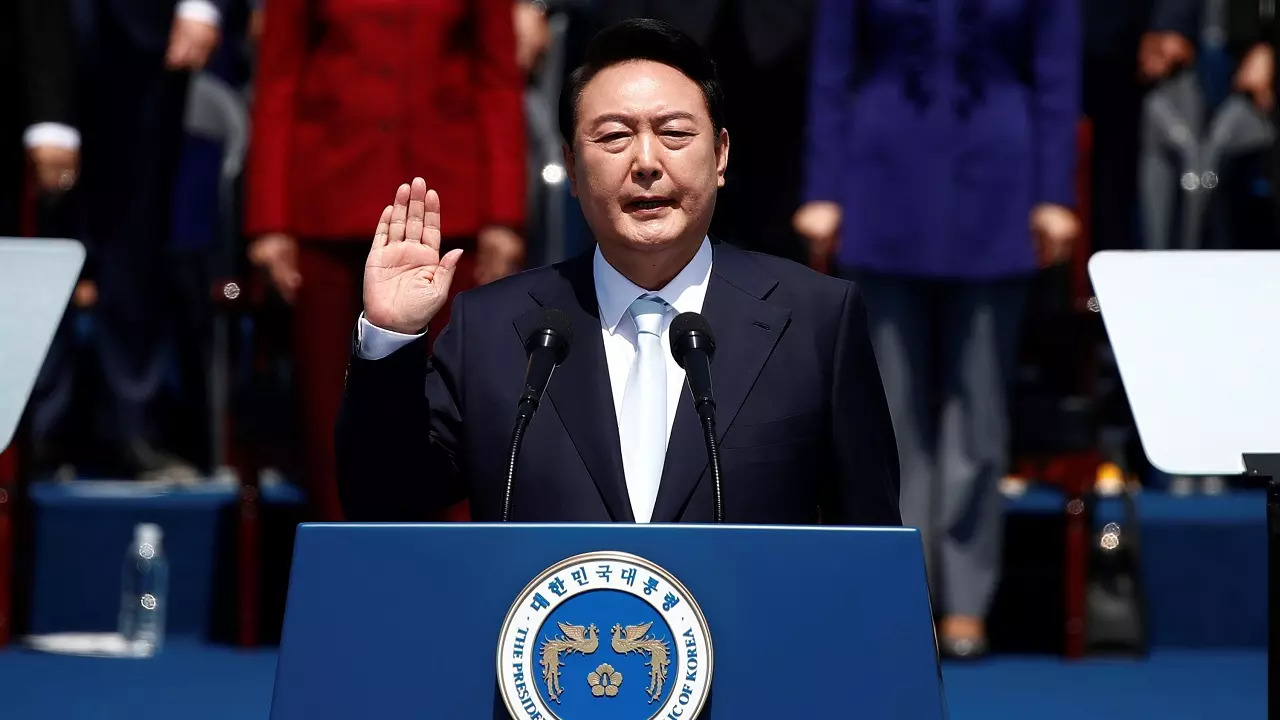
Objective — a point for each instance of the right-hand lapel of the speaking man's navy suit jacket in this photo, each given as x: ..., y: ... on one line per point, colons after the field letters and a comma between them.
x: 747, y: 330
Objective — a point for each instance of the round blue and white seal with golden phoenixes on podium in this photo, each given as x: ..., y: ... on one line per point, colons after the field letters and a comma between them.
x: 605, y: 636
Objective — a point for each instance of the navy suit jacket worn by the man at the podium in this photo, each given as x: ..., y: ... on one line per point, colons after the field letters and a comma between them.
x: 804, y: 429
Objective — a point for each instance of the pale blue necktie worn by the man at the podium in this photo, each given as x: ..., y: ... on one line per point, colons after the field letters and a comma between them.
x: 644, y: 409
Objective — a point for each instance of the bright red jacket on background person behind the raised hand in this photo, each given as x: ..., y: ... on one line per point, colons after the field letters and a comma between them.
x: 354, y: 98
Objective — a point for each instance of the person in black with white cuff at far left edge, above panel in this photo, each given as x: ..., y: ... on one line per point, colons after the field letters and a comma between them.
x: 36, y: 84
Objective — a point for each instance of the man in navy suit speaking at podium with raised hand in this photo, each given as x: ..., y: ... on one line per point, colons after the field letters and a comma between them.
x: 806, y: 434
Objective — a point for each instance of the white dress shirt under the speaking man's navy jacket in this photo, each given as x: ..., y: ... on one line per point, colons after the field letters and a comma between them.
x: 614, y: 294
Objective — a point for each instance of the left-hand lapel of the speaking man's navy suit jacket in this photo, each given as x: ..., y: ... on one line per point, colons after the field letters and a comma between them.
x: 580, y: 390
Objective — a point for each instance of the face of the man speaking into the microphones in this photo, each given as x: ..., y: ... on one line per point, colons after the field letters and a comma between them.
x: 647, y: 163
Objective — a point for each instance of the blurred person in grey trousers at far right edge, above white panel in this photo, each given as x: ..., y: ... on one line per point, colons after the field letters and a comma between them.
x: 1213, y: 72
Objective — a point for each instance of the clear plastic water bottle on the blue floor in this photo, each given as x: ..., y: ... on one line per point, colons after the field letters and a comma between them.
x: 144, y: 593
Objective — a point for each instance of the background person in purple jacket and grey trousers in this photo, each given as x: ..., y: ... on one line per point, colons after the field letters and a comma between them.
x: 940, y: 174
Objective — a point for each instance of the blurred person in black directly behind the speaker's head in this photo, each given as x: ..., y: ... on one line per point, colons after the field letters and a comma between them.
x: 762, y: 53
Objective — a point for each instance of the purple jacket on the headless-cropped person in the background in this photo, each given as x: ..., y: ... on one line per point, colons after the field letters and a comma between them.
x: 938, y: 125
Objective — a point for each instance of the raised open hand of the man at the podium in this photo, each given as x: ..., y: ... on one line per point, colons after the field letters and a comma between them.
x: 406, y: 280
